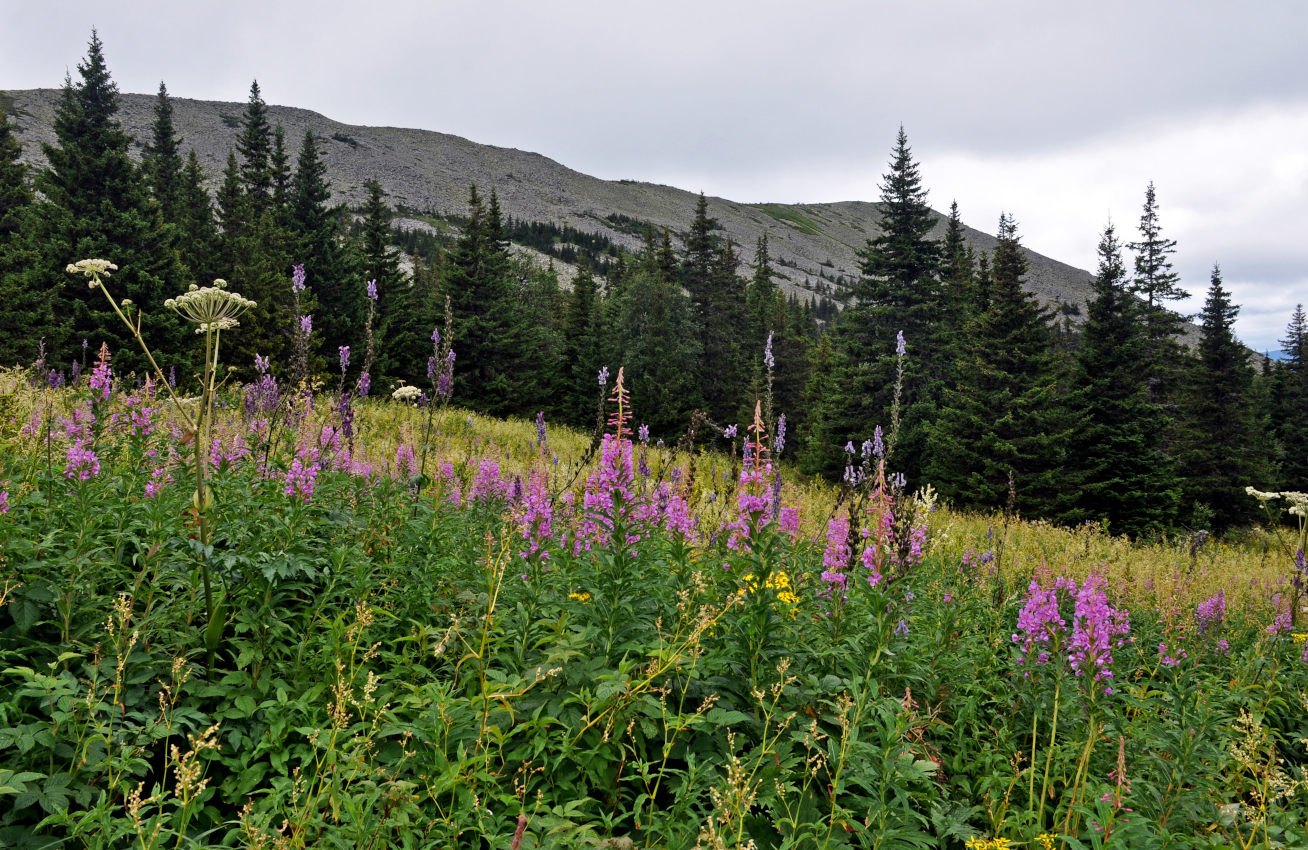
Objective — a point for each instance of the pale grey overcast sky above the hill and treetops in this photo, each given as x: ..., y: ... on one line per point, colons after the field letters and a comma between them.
x: 1058, y: 113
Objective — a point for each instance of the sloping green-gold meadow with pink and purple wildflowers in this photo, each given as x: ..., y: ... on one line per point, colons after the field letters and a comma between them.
x: 269, y: 617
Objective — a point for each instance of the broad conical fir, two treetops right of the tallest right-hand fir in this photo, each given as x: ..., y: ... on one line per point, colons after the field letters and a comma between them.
x: 1001, y: 436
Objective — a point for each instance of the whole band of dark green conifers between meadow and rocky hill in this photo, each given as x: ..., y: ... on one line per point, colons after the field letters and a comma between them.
x: 978, y: 388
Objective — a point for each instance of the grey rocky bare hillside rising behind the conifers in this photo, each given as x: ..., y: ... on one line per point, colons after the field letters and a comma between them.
x: 814, y: 245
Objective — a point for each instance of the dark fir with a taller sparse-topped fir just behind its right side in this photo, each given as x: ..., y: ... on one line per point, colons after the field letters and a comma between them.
x: 1115, y: 469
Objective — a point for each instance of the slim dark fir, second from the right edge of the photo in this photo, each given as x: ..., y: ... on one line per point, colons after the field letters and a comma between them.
x: 1222, y: 450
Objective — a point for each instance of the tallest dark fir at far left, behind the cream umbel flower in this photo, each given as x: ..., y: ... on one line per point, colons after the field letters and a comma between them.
x: 94, y: 205
